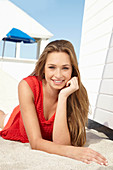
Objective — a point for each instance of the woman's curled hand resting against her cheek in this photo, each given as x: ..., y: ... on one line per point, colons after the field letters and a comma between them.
x: 71, y: 87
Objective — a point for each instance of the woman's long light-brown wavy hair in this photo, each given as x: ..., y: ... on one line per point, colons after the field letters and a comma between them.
x: 77, y: 102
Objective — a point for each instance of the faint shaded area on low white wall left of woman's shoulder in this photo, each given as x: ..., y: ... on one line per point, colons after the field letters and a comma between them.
x: 8, y: 92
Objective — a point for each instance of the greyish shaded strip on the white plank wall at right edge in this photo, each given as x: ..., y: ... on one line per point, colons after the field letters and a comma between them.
x: 104, y: 103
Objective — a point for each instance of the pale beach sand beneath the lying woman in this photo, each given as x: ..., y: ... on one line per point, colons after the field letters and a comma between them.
x: 19, y: 156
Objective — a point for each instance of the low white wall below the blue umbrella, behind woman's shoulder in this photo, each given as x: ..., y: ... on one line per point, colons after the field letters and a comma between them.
x: 11, y: 72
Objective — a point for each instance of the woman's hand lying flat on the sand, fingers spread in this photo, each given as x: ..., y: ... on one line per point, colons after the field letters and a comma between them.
x: 88, y: 155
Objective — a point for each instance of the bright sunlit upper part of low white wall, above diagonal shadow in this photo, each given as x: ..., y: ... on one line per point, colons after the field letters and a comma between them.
x: 17, y: 68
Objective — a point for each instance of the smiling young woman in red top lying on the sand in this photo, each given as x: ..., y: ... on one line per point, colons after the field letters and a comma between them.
x: 53, y: 107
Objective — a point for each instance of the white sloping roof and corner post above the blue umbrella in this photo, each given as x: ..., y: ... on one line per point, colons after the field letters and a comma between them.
x: 12, y: 16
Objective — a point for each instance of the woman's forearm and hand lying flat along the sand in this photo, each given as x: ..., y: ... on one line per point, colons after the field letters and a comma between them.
x: 84, y: 154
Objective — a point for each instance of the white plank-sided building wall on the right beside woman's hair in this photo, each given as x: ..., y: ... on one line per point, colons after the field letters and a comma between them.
x: 96, y: 58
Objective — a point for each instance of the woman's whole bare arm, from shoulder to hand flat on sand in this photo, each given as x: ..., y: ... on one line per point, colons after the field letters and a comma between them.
x: 31, y: 123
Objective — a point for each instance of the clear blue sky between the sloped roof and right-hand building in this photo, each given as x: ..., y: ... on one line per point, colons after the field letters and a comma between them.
x: 63, y: 18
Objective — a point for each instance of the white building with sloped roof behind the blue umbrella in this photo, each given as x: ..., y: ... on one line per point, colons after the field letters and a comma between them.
x: 12, y: 70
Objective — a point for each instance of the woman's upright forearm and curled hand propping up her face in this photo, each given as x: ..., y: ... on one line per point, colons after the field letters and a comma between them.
x: 61, y: 133
